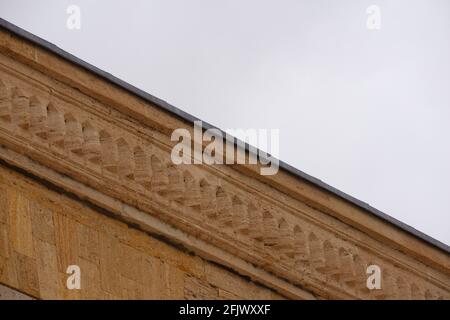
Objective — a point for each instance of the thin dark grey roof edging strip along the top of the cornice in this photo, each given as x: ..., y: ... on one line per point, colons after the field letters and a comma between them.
x: 189, y: 118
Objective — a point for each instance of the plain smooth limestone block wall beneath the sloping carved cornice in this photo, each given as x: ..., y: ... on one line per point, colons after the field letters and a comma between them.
x: 42, y: 232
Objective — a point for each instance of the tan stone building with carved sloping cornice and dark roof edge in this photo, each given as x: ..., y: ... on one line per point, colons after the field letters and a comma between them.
x: 86, y: 180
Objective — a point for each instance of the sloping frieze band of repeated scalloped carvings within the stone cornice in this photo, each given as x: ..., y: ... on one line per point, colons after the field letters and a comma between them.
x: 89, y: 145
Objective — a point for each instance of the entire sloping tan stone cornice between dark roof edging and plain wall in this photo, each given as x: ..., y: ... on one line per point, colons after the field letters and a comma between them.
x: 63, y: 124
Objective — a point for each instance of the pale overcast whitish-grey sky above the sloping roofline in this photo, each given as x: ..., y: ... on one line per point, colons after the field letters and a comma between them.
x: 365, y: 111
